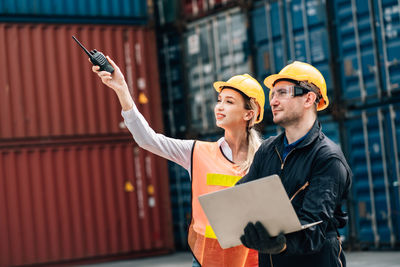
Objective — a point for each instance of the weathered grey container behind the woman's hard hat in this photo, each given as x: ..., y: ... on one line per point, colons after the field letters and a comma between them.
x: 216, y: 48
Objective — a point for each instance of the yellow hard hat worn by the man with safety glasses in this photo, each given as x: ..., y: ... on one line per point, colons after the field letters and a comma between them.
x: 300, y: 71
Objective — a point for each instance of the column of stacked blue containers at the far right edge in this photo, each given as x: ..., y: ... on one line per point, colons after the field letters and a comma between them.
x: 368, y: 53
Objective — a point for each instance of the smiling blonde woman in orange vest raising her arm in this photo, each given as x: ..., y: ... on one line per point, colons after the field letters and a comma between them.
x: 212, y: 165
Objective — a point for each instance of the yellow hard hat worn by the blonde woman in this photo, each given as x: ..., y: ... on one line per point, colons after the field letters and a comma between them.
x: 248, y: 86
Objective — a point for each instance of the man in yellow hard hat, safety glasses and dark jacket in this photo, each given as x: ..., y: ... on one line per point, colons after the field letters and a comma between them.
x: 313, y: 171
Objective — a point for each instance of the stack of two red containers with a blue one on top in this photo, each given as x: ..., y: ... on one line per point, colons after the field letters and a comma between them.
x: 73, y: 184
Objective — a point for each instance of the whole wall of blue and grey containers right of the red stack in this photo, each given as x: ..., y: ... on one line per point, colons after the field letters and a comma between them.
x: 354, y: 45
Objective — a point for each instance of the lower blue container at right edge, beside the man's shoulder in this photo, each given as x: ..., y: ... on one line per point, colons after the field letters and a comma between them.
x: 372, y: 149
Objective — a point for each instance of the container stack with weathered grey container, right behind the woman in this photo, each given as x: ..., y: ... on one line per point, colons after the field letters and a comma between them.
x: 199, y: 42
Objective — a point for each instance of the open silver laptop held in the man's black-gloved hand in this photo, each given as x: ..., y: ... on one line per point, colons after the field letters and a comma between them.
x: 265, y: 200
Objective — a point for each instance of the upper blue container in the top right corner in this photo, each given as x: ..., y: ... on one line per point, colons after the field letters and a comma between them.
x: 368, y: 49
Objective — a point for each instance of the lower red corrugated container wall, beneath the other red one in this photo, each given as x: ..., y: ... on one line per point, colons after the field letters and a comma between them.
x: 83, y: 200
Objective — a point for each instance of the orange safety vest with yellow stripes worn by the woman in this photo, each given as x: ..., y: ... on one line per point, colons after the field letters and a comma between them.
x: 211, y: 171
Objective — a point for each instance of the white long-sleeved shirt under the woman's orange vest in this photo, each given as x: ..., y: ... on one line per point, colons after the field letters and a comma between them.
x: 176, y: 150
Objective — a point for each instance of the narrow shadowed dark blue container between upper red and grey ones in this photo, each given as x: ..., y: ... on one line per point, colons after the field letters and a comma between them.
x: 172, y: 83
